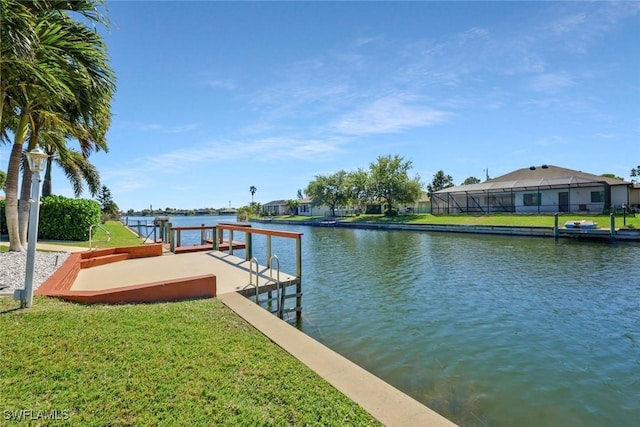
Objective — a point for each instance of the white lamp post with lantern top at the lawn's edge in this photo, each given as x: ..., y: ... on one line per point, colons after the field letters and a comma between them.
x: 37, y: 162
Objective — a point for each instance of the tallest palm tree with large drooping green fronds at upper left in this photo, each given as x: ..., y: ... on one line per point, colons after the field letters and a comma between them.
x: 71, y: 58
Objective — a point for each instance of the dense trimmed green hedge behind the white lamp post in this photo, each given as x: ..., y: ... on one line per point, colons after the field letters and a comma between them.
x: 62, y: 218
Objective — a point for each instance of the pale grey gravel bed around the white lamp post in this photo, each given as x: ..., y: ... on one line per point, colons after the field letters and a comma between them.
x: 14, y: 264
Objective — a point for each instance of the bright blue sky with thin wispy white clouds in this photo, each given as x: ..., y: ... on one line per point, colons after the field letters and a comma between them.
x: 215, y: 97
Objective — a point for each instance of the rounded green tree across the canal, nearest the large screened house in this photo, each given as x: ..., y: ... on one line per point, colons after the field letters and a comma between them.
x: 390, y: 182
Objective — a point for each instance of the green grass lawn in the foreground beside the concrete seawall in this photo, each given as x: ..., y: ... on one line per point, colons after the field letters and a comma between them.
x: 180, y: 363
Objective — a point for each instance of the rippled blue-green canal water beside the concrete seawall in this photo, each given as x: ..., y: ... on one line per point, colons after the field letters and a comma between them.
x: 486, y: 330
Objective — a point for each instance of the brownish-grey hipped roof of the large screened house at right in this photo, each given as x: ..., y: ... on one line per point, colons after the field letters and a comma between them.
x: 545, y: 176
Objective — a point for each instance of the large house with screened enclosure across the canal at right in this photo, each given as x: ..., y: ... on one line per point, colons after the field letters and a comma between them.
x: 543, y: 189
